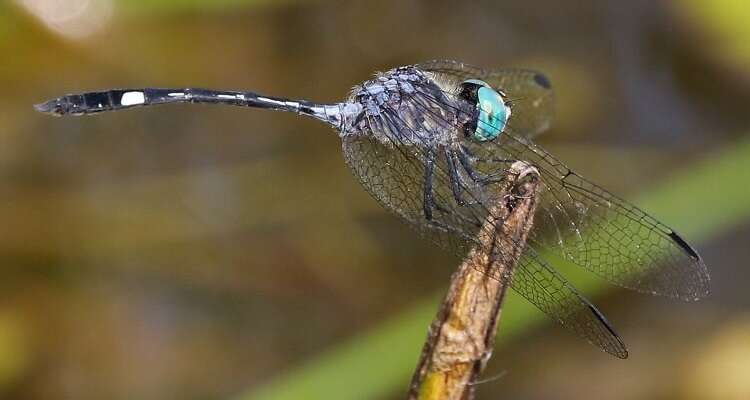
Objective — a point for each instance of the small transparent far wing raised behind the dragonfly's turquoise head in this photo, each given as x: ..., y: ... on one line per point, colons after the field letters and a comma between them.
x: 530, y: 92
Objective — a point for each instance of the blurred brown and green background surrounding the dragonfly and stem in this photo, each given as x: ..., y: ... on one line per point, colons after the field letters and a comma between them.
x: 198, y: 252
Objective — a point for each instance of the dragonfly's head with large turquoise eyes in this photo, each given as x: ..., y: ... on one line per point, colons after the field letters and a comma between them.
x: 491, y: 111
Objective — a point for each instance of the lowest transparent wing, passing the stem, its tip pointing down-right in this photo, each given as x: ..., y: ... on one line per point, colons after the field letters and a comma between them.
x: 394, y: 173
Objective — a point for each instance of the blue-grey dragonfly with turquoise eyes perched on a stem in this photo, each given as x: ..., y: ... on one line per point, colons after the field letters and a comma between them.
x: 431, y: 141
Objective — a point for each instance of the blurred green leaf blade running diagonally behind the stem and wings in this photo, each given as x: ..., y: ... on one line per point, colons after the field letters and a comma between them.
x: 379, y: 363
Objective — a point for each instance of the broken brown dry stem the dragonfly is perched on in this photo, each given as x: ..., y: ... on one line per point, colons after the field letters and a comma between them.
x: 462, y: 336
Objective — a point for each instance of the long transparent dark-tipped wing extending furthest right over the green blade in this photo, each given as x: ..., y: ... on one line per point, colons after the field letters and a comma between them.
x: 594, y: 228
